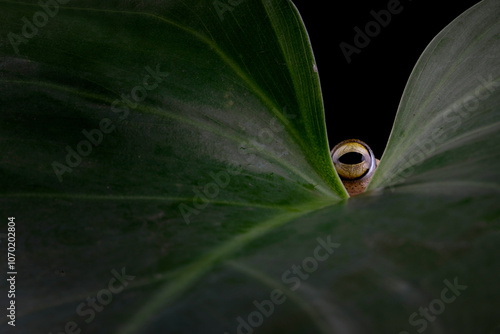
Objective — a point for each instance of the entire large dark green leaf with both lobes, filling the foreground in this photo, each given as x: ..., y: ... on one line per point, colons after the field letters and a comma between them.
x: 168, y: 169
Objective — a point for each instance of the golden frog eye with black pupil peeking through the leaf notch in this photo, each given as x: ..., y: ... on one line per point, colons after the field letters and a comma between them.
x: 353, y: 159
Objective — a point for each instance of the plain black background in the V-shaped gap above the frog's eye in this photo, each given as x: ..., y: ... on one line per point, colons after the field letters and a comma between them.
x: 361, y: 98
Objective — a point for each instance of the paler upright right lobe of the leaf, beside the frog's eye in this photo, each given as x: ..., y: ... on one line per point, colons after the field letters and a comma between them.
x: 447, y: 124
